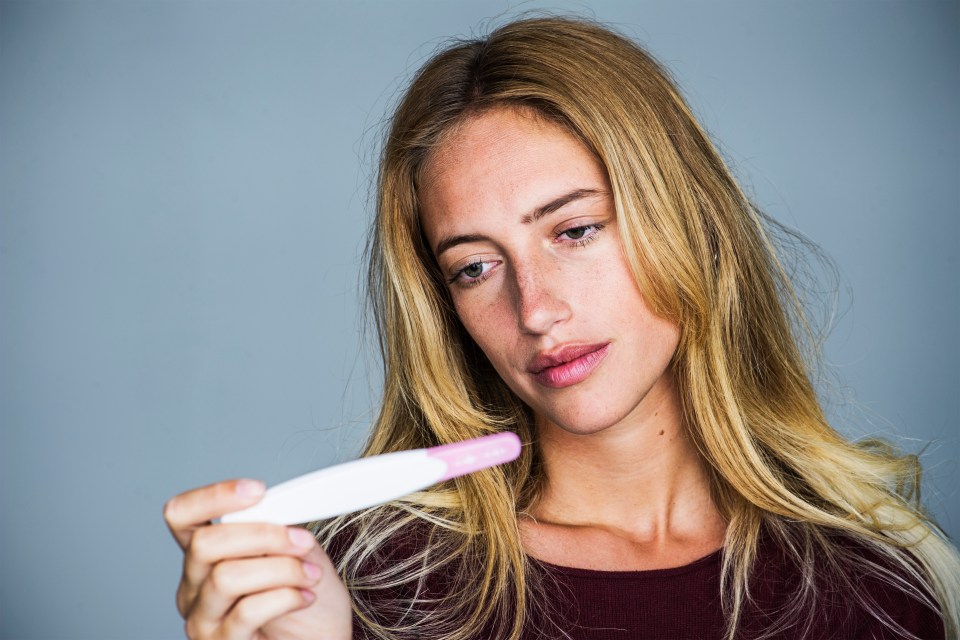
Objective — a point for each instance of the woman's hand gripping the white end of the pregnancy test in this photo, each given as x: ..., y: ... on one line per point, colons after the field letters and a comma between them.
x: 252, y: 581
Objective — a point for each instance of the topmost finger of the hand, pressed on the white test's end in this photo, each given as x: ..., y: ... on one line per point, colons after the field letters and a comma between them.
x: 191, y: 509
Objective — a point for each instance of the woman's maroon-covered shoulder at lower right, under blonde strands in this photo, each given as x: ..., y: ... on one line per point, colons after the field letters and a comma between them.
x: 840, y: 588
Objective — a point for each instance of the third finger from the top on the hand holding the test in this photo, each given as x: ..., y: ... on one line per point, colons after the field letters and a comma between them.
x: 230, y: 581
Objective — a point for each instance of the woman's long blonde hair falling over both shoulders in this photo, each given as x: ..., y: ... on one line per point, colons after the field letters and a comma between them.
x: 701, y: 256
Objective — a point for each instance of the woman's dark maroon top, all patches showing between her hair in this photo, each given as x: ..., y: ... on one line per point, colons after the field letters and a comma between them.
x: 684, y: 602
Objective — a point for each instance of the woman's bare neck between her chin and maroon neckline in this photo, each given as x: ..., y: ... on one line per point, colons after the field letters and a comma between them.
x: 641, y: 478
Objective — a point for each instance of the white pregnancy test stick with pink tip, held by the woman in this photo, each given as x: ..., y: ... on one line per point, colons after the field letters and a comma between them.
x: 367, y: 482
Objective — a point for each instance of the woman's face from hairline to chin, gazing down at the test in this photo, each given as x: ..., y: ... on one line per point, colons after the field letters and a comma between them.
x: 520, y: 218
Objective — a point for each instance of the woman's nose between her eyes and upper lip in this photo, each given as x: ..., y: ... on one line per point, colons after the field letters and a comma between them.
x: 541, y: 298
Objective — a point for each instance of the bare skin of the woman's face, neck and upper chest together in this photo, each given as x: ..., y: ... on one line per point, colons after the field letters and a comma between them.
x: 521, y: 221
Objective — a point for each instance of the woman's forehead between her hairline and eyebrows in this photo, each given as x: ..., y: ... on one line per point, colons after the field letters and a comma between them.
x: 504, y: 160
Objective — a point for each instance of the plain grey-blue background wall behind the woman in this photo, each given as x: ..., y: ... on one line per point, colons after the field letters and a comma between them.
x: 183, y: 192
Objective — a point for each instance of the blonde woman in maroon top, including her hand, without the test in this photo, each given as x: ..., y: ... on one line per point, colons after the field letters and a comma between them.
x: 560, y: 251
